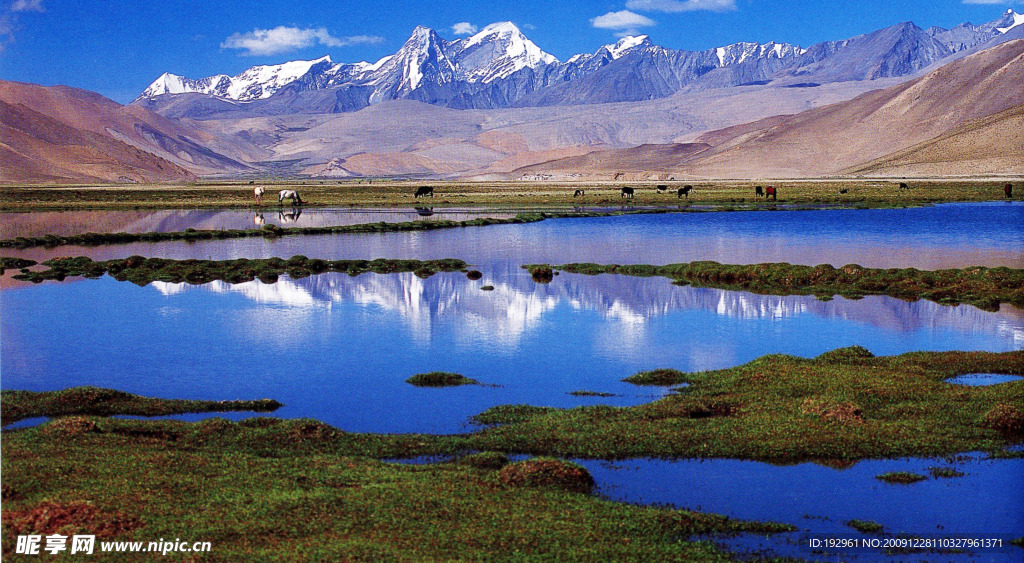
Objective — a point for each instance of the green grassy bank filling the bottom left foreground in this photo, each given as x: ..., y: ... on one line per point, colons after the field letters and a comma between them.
x: 137, y: 485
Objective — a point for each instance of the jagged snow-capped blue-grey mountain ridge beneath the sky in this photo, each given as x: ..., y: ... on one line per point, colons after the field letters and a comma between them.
x: 501, y: 68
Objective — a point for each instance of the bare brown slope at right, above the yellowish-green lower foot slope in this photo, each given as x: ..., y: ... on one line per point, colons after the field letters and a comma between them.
x: 830, y: 140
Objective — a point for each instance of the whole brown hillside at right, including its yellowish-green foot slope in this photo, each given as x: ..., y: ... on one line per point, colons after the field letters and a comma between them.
x: 844, y: 138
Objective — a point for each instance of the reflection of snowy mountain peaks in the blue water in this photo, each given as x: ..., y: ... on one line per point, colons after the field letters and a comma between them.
x: 518, y: 304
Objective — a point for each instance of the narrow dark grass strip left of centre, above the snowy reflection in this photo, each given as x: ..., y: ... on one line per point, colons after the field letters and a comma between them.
x: 141, y: 271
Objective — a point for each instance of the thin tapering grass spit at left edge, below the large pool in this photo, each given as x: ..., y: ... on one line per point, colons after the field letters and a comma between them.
x: 17, y: 406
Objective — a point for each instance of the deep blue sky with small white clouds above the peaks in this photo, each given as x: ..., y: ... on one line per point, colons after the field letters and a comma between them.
x: 118, y: 48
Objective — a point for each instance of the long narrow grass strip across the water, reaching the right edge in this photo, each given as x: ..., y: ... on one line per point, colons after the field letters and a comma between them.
x: 982, y: 287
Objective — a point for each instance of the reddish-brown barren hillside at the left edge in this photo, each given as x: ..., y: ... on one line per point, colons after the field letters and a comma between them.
x: 60, y: 134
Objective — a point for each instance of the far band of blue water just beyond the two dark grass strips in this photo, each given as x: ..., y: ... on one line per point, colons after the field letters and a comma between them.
x: 930, y: 238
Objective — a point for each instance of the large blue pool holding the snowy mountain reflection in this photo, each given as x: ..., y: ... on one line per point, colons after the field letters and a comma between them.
x: 339, y: 349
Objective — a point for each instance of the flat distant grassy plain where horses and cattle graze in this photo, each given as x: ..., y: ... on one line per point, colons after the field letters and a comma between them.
x: 383, y: 193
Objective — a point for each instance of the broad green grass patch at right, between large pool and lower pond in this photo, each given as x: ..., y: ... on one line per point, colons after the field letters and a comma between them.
x: 843, y: 406
